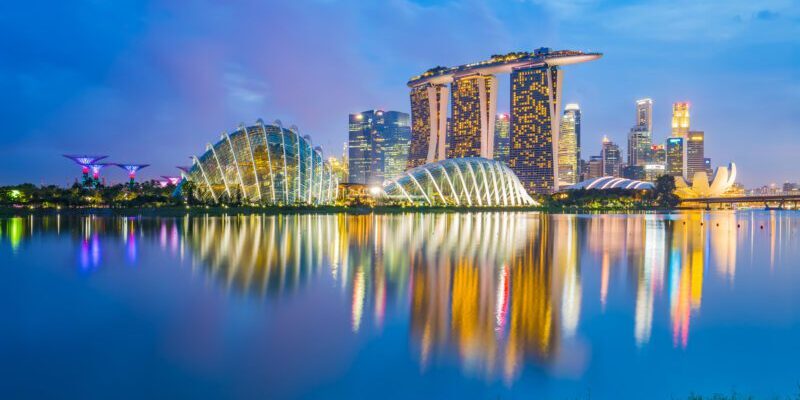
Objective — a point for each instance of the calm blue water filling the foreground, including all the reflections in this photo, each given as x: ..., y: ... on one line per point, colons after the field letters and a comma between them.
x: 487, y: 305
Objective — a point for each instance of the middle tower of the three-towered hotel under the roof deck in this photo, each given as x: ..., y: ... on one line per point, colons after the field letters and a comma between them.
x: 474, y: 100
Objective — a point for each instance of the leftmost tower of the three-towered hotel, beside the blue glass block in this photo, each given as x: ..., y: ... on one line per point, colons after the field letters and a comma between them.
x: 429, y: 130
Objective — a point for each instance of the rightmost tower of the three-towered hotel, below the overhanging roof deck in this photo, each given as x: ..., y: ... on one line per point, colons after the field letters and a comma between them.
x: 535, y: 106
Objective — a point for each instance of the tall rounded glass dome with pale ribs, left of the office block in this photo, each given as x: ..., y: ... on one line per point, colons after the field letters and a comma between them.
x: 265, y: 164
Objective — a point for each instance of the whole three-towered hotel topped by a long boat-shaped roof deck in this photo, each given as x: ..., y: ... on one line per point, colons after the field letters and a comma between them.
x: 536, y: 79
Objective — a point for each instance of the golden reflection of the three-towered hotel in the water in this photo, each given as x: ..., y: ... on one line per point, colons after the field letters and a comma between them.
x: 497, y: 306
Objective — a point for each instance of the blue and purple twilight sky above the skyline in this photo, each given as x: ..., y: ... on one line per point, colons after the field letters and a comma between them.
x: 153, y: 81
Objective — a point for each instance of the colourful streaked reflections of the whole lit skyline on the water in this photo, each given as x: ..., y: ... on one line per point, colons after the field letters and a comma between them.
x: 495, y: 292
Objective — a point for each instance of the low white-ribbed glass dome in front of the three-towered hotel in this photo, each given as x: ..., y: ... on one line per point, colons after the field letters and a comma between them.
x: 471, y: 182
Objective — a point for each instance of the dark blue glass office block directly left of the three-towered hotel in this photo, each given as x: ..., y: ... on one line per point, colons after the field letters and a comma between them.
x: 378, y: 146
